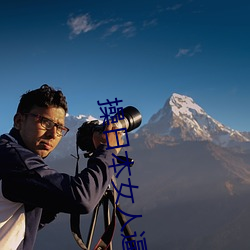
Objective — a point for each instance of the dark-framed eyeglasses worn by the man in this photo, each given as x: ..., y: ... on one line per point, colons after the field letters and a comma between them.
x: 49, y: 124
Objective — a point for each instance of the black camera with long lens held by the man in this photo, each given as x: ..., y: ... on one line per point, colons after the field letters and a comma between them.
x: 131, y: 119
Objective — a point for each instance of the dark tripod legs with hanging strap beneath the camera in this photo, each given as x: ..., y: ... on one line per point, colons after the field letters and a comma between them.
x: 105, y: 242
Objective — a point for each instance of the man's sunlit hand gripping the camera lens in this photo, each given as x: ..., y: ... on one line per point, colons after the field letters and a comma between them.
x: 100, y: 138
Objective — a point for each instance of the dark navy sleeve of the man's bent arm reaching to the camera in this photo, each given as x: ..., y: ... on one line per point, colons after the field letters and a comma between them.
x: 27, y: 179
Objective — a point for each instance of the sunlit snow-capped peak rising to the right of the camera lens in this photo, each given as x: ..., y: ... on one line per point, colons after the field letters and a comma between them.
x: 182, y: 119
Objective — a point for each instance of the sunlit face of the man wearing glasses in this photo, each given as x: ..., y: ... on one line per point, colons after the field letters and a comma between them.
x: 35, y: 137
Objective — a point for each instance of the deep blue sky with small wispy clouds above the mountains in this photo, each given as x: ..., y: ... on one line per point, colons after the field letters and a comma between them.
x: 138, y: 51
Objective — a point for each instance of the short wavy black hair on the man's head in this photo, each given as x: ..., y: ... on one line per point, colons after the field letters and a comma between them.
x: 45, y: 96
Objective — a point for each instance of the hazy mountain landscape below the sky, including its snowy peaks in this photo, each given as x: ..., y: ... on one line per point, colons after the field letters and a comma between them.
x: 193, y: 175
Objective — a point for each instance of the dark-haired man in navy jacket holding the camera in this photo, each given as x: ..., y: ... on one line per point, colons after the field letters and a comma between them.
x: 28, y: 187
